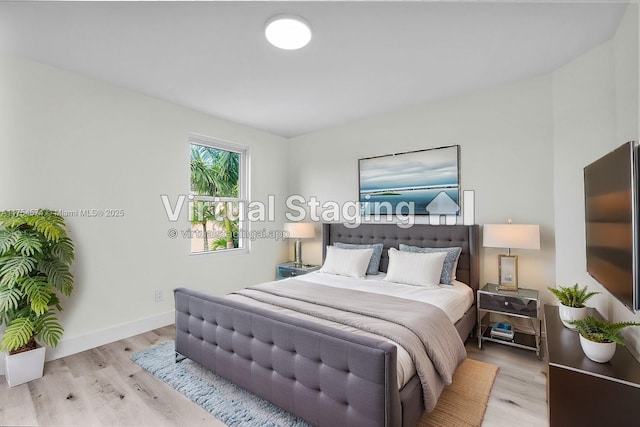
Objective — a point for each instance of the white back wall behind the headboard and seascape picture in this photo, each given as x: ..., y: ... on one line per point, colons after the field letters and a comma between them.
x: 505, y: 138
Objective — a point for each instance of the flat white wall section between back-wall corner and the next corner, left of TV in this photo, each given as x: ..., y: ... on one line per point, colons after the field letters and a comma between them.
x: 584, y: 129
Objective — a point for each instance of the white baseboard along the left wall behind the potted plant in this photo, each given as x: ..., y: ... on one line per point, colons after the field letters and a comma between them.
x: 67, y: 347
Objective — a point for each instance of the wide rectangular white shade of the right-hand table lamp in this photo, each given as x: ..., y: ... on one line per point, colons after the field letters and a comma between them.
x: 511, y: 236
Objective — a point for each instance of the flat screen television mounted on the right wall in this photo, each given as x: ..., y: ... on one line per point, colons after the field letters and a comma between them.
x: 611, y: 221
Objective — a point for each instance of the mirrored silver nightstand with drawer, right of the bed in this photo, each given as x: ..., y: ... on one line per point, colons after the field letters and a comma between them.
x: 520, y: 303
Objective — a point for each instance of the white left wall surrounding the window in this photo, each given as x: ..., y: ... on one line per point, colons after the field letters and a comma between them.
x: 70, y: 142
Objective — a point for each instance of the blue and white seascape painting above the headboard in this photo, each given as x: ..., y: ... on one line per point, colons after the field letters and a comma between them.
x: 426, y: 181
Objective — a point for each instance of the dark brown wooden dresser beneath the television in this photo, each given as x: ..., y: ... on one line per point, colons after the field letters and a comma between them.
x: 581, y: 392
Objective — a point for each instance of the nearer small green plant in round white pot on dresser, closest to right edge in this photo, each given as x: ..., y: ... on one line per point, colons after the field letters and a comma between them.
x: 598, y: 338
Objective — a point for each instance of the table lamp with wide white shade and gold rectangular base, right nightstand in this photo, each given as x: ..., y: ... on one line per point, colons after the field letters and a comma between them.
x: 510, y: 236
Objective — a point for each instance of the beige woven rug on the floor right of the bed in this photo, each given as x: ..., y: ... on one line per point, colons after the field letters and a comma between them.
x: 464, y: 401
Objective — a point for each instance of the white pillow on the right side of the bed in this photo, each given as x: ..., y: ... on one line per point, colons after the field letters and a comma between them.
x: 413, y: 268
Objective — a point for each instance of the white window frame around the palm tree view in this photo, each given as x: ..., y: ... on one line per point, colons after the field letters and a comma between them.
x: 244, y: 228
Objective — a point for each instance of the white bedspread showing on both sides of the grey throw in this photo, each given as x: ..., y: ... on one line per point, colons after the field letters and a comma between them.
x: 453, y: 300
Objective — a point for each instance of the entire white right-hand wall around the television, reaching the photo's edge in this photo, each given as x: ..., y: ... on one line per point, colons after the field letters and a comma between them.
x: 595, y: 100
